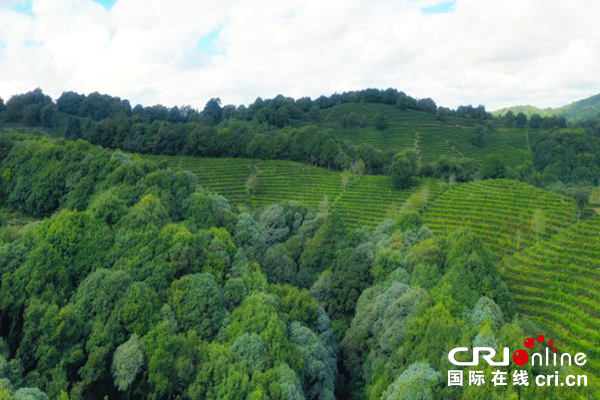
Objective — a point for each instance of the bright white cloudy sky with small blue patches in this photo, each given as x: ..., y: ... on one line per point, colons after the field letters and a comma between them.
x: 176, y: 52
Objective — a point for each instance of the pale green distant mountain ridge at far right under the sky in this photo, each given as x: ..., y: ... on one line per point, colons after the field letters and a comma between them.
x: 577, y: 111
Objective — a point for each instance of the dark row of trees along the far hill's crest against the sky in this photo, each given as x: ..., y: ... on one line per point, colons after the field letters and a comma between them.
x: 277, y: 112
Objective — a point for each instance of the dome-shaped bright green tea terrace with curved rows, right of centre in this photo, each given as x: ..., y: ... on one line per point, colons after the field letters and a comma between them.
x: 509, y: 215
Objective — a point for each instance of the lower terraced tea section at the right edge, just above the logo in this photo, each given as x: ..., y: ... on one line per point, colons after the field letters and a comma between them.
x: 557, y: 284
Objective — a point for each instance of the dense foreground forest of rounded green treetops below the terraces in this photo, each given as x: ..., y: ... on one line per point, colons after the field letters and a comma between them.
x: 139, y: 284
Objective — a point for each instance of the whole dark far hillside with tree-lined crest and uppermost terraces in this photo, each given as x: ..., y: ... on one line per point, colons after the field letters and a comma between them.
x: 370, y: 131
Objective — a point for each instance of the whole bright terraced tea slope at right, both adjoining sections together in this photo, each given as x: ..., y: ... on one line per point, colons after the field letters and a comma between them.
x: 556, y: 281
